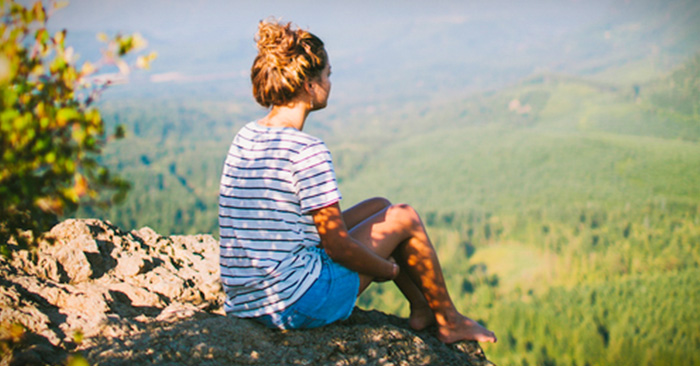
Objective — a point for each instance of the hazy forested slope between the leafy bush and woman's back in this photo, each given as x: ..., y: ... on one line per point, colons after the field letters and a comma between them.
x: 172, y: 155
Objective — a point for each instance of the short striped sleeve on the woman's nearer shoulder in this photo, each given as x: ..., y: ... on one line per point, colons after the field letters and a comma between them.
x: 314, y: 178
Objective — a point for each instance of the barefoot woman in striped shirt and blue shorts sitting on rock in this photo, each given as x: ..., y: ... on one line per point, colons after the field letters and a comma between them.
x: 290, y: 257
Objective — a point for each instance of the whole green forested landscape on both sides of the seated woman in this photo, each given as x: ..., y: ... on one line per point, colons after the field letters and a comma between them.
x: 566, y: 209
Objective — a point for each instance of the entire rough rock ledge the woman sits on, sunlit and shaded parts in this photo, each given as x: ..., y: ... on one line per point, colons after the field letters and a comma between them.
x: 132, y: 298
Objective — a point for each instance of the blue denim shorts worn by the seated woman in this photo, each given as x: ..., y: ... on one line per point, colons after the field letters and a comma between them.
x: 331, y: 298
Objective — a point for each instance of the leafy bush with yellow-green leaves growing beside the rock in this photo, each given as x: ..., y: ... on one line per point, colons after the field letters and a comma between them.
x: 51, y: 135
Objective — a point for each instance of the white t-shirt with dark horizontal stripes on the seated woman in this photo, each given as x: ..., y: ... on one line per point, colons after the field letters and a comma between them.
x: 272, y: 179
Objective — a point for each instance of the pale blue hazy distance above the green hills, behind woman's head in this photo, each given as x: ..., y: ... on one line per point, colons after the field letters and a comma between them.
x: 419, y: 51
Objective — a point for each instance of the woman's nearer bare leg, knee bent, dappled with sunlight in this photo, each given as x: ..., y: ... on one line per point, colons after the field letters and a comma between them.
x: 398, y: 231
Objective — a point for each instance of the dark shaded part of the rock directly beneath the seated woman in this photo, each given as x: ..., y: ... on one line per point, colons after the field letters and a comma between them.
x: 366, y: 338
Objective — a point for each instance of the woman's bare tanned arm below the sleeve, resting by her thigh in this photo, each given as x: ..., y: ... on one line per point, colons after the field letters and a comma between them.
x: 342, y: 248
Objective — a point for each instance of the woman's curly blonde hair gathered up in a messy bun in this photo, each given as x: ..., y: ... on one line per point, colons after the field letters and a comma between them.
x: 287, y: 57
